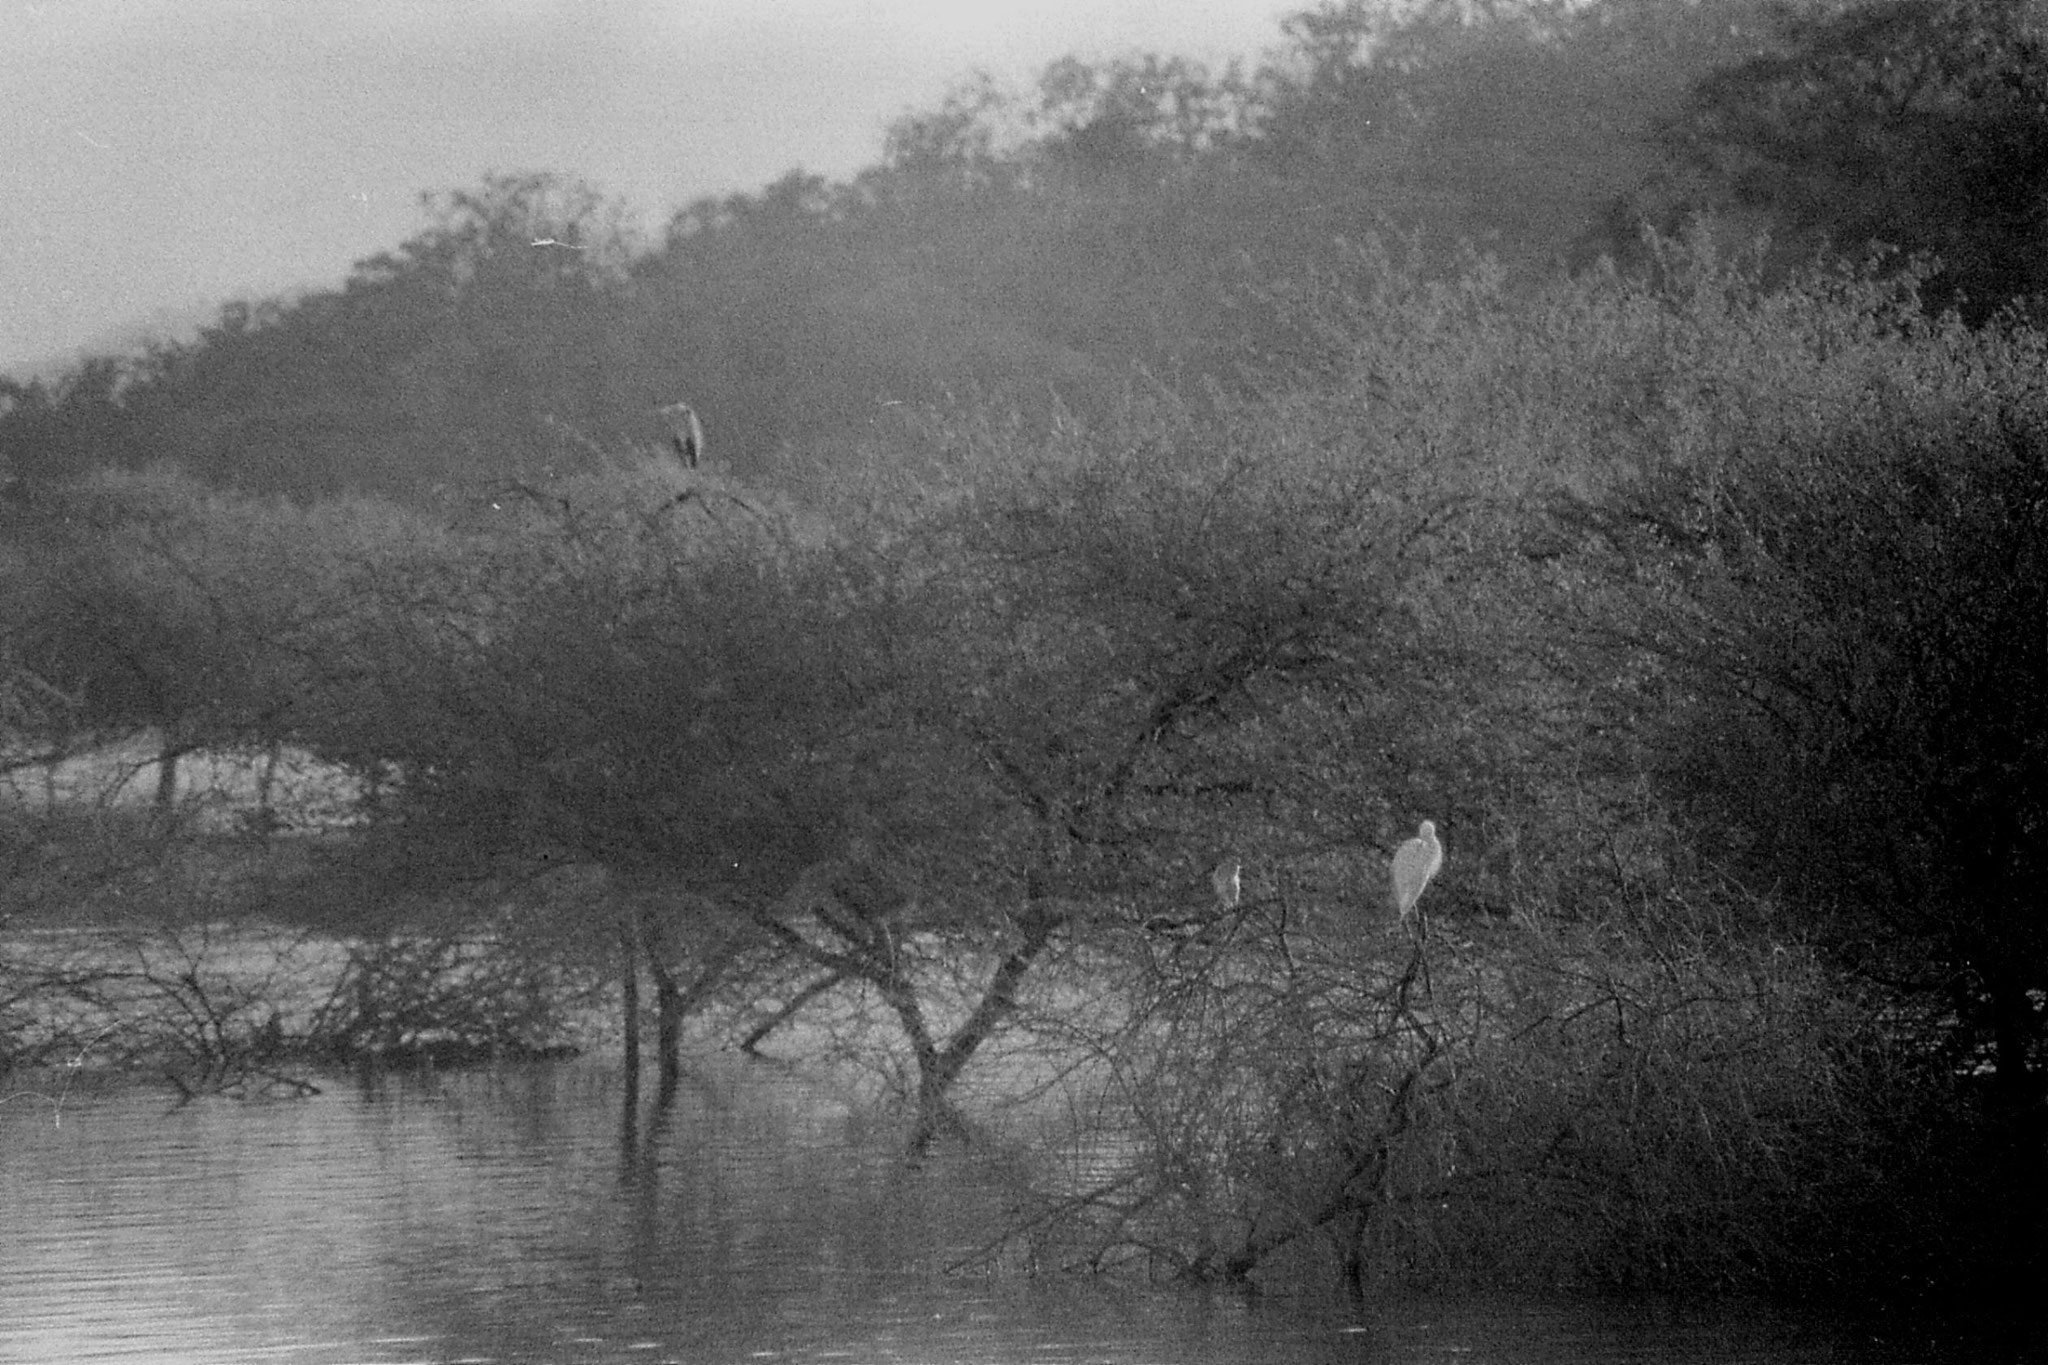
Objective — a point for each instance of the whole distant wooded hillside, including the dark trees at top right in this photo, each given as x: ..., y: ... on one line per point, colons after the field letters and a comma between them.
x: 1031, y: 249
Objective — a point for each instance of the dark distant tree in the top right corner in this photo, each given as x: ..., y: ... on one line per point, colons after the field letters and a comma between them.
x: 1912, y: 124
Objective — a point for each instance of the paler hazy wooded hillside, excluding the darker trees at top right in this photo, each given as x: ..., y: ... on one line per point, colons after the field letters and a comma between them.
x: 1025, y: 247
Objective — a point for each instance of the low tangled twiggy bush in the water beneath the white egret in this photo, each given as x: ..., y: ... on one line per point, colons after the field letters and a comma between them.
x: 1500, y: 1106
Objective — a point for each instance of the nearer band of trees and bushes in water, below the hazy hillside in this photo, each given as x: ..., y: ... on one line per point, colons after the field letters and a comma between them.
x: 1701, y: 613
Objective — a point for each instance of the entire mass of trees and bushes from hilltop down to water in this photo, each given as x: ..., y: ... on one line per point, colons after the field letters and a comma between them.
x: 1101, y: 488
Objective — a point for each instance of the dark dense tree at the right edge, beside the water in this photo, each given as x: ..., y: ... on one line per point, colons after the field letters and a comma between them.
x: 1834, y: 601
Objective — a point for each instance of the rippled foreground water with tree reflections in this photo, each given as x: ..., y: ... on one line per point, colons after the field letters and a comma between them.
x: 499, y: 1219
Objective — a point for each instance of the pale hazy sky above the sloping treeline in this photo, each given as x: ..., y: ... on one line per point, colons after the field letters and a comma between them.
x: 167, y: 157
